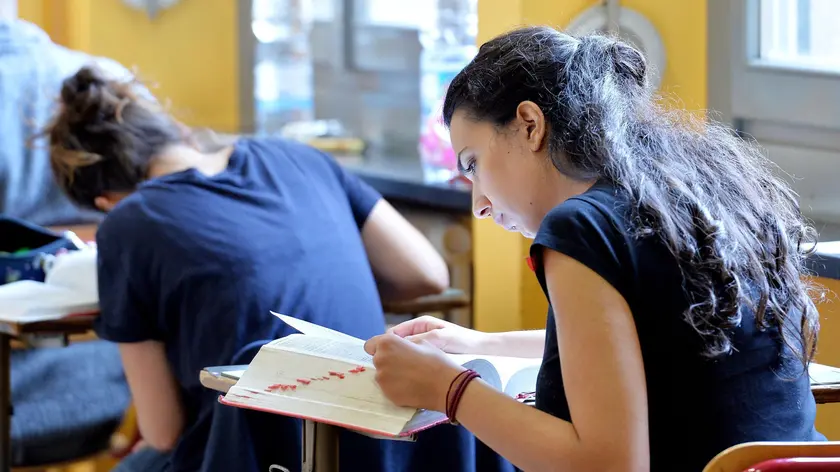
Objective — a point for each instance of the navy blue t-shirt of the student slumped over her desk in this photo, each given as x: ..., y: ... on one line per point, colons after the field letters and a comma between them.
x: 198, y: 261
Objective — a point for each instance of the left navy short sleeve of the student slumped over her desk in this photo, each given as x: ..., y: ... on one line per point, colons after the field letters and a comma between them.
x: 123, y: 271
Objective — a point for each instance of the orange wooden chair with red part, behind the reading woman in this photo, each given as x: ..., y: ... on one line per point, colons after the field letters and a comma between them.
x: 777, y: 457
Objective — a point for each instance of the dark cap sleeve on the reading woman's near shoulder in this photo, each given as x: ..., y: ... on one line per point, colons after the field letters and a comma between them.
x: 590, y: 234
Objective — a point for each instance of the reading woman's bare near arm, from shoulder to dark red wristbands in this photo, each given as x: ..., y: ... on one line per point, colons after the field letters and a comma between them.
x: 604, y: 385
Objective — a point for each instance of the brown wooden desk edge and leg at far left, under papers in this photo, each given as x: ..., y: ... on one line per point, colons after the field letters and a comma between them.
x: 8, y: 331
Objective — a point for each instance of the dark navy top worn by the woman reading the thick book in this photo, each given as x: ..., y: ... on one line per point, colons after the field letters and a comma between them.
x: 697, y: 406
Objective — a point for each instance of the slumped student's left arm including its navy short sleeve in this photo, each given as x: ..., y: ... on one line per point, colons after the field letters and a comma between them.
x: 128, y: 301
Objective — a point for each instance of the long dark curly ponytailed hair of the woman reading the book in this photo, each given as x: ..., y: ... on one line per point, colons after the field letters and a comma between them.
x: 734, y: 227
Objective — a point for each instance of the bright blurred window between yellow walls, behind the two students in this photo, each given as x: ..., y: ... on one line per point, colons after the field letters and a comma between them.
x: 368, y: 70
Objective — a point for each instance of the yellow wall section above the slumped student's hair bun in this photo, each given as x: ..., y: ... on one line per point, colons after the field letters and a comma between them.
x: 190, y: 50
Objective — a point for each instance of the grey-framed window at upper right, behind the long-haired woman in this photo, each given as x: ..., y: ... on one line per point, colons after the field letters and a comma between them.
x: 774, y: 74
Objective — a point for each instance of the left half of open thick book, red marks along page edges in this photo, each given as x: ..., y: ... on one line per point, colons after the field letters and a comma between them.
x: 329, y: 388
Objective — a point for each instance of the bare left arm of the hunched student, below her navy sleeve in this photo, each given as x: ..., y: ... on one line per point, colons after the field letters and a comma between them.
x: 154, y: 393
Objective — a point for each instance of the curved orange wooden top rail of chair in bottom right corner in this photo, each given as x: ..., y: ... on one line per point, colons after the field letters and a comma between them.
x: 742, y: 457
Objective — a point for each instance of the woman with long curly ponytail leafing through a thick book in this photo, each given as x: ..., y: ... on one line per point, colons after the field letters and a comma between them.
x: 671, y: 255
